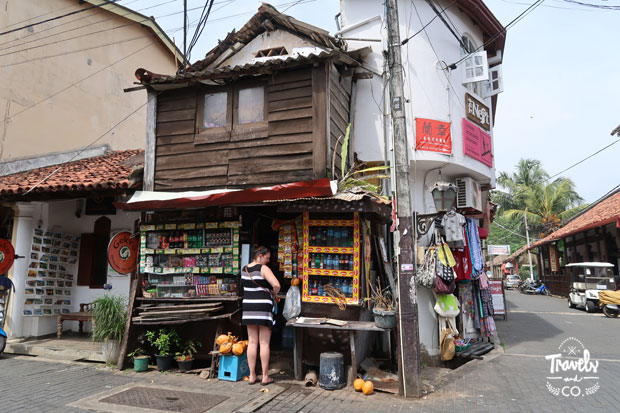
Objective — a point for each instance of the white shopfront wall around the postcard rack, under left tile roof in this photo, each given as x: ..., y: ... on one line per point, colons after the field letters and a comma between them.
x: 58, y: 216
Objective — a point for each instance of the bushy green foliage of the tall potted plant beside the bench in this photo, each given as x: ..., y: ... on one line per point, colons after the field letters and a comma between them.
x: 109, y: 318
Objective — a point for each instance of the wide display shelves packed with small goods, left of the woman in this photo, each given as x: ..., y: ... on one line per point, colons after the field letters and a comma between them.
x: 191, y: 259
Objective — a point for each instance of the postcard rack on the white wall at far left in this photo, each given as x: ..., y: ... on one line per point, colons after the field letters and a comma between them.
x: 51, y: 271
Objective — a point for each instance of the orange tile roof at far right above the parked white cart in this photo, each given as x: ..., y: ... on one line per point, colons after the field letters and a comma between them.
x: 602, y: 213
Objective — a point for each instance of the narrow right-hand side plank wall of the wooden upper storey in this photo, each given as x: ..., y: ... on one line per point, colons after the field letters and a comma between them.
x: 339, y: 104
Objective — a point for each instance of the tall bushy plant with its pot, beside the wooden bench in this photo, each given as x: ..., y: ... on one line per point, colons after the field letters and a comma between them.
x: 109, y: 318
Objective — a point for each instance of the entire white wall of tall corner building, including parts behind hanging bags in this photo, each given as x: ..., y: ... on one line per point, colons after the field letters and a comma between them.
x: 431, y: 92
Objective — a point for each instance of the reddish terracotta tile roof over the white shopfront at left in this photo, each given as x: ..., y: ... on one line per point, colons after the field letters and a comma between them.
x: 100, y: 173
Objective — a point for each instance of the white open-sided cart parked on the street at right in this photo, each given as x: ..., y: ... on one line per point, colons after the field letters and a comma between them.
x: 588, y: 278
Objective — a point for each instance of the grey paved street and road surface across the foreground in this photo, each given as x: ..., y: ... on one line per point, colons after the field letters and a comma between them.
x: 510, y: 382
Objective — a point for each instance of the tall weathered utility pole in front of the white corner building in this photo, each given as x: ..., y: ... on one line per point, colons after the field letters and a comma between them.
x: 408, y: 338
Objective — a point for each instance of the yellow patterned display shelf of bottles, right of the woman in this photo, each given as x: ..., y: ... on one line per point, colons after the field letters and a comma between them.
x: 331, y: 255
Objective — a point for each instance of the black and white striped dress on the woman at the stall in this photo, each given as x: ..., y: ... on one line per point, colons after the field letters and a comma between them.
x: 257, y: 303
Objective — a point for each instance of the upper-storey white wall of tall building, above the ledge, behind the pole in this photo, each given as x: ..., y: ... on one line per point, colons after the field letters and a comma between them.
x: 431, y: 92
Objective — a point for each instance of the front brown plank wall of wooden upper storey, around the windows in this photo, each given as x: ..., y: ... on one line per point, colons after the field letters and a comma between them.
x: 285, y: 155
